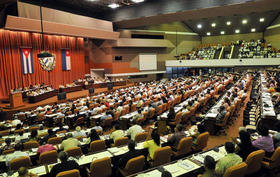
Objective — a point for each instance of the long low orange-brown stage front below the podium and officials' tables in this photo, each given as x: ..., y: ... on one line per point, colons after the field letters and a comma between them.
x: 52, y: 100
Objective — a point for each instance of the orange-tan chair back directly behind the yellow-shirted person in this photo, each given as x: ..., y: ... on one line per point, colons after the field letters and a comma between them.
x: 162, y: 155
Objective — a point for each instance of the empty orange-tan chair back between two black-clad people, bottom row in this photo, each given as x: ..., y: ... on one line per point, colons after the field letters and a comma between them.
x: 101, y: 167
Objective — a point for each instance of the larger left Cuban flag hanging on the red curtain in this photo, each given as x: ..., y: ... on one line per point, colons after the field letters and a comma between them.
x: 26, y: 60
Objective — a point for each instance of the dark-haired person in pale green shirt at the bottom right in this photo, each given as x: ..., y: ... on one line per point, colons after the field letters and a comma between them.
x: 229, y: 160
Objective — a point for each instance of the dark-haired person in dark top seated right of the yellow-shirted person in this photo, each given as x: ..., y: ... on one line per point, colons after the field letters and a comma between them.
x: 174, y: 139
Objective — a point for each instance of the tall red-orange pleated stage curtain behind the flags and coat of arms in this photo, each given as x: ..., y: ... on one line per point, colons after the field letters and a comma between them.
x: 11, y: 75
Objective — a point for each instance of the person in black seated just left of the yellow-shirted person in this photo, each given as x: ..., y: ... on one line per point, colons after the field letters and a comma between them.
x: 128, y: 155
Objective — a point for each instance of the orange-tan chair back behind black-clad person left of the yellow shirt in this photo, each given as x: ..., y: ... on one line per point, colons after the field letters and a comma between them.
x: 135, y: 165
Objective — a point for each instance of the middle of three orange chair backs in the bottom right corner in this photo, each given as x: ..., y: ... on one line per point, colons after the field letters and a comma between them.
x: 254, y: 160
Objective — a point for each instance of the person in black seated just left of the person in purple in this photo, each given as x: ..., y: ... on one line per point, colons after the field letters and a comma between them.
x: 245, y: 147
